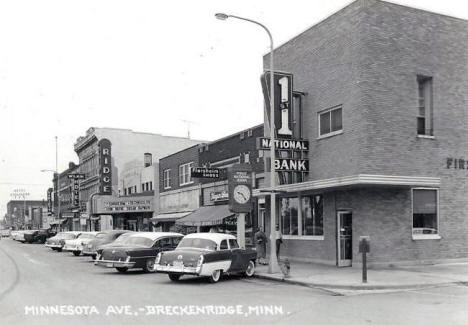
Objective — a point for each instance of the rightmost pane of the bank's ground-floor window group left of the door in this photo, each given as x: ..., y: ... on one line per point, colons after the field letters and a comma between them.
x: 312, y: 214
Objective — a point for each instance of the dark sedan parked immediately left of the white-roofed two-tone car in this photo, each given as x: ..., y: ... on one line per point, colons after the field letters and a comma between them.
x: 138, y: 251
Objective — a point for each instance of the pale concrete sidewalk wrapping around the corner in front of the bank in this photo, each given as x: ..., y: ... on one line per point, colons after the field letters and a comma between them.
x: 350, y: 278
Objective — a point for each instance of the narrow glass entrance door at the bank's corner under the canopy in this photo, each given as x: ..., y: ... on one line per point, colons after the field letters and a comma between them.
x: 345, y: 238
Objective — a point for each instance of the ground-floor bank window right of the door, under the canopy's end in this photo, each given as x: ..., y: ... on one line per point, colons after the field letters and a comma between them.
x: 425, y: 213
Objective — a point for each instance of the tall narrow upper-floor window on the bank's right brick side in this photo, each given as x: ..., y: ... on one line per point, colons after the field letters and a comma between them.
x: 425, y: 108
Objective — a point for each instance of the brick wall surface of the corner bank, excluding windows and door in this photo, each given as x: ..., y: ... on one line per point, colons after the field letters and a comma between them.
x: 366, y: 58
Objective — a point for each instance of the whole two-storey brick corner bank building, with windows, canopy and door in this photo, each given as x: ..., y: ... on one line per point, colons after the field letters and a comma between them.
x: 383, y: 95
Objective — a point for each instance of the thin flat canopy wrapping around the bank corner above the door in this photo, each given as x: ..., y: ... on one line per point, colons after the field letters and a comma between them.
x: 354, y: 181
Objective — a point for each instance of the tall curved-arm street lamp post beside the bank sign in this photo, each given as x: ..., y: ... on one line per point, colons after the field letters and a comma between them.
x: 273, y: 266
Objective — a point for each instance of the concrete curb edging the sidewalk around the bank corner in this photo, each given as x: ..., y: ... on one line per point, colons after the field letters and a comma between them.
x: 356, y: 287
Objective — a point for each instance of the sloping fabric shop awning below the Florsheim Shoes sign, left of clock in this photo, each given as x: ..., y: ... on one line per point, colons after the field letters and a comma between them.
x: 206, y: 216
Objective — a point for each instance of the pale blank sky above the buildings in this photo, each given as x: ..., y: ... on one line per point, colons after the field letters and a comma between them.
x: 66, y: 66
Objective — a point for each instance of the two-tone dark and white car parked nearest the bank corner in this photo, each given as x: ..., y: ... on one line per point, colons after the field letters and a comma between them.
x: 208, y: 255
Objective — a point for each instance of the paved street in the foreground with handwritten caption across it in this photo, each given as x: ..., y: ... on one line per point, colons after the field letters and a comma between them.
x: 32, y: 276
